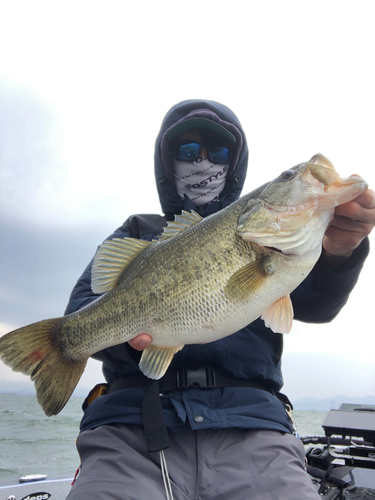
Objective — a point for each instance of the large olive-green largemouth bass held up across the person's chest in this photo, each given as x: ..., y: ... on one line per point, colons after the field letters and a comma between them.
x: 199, y: 281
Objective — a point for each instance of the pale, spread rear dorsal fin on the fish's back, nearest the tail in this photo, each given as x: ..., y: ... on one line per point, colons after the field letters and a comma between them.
x: 112, y: 257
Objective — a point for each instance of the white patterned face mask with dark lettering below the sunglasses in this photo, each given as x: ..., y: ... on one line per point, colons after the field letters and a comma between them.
x: 201, y: 180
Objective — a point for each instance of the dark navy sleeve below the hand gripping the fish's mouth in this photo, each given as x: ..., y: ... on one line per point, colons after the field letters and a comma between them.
x: 322, y: 295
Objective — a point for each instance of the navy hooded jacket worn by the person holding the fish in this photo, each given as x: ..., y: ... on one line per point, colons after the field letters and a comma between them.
x: 253, y: 353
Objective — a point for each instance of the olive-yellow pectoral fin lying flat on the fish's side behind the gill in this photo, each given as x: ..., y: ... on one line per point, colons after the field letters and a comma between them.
x: 248, y: 279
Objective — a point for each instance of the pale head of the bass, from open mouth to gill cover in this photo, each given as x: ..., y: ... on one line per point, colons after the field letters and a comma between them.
x: 290, y: 213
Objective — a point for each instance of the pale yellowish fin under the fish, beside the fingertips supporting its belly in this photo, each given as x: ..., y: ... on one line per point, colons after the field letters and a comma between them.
x: 155, y: 360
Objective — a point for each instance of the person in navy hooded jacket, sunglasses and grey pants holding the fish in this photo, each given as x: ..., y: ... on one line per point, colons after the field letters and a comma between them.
x: 229, y: 429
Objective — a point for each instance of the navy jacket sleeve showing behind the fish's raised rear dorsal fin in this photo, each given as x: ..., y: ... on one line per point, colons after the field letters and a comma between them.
x: 82, y: 294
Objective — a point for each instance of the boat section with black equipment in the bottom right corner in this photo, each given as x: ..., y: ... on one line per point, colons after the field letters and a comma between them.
x: 341, y: 463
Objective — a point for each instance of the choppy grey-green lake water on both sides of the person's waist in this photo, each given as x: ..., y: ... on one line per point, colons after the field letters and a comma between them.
x: 31, y: 443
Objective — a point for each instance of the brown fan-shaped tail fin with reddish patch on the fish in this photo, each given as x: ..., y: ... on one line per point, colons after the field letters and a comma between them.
x: 32, y: 350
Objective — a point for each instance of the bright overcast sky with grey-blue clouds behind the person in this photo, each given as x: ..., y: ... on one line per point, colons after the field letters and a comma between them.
x: 84, y: 86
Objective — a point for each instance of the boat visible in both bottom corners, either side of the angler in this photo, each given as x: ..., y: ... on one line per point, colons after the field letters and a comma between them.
x: 340, y: 463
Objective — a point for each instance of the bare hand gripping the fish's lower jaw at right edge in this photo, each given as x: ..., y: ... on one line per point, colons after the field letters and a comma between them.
x: 353, y: 221
